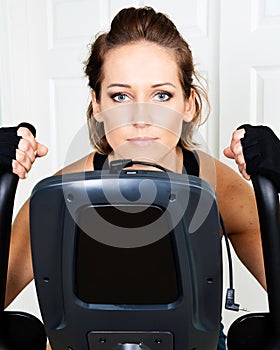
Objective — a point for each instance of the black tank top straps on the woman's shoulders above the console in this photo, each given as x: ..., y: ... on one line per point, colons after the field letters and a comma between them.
x: 190, y: 161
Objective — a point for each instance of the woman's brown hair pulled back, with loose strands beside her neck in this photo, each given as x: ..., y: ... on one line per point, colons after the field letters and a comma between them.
x: 132, y: 25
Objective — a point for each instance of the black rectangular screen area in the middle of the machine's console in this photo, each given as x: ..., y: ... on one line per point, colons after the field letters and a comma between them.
x: 114, y: 275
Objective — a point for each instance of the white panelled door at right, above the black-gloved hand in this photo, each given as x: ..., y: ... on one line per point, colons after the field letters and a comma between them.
x: 249, y: 65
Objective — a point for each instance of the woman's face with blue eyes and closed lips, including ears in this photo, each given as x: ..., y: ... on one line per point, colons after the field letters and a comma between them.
x: 142, y: 103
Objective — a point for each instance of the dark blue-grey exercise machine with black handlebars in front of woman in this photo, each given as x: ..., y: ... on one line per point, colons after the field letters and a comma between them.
x: 175, y: 305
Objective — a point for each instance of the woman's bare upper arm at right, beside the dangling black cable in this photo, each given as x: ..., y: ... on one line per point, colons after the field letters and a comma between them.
x: 237, y: 205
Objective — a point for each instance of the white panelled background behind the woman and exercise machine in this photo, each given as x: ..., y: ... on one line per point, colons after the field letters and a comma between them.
x: 43, y: 44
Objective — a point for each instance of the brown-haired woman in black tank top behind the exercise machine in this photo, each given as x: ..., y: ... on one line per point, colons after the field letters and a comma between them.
x: 146, y: 106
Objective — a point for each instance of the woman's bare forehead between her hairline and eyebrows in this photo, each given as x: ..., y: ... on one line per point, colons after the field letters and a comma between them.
x: 140, y: 60
